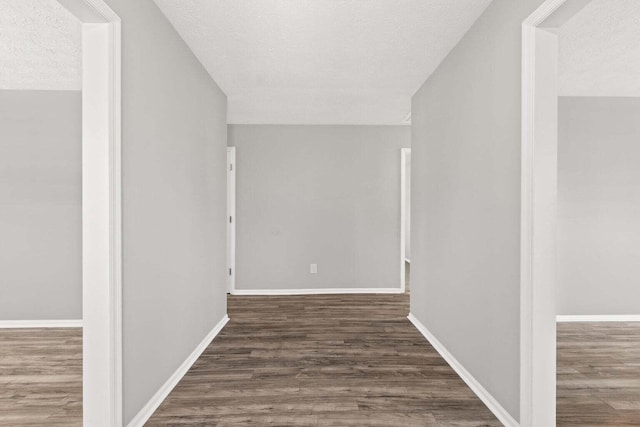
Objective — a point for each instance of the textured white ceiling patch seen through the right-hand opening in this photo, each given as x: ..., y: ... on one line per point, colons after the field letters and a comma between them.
x: 600, y: 50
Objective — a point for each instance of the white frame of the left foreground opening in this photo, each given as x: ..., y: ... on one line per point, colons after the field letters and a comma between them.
x: 101, y: 212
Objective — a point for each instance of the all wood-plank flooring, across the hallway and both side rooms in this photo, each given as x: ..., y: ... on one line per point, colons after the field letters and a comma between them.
x: 332, y: 360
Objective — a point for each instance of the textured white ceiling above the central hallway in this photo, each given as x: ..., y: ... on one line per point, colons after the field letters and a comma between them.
x: 321, y: 61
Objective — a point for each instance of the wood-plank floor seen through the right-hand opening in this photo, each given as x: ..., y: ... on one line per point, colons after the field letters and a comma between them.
x: 598, y: 374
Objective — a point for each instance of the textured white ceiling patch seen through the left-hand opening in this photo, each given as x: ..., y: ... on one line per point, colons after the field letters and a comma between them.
x: 40, y: 46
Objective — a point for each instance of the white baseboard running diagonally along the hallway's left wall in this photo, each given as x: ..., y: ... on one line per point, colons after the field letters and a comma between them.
x: 147, y: 411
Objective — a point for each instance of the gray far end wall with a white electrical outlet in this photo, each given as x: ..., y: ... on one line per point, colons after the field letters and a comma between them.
x: 328, y: 195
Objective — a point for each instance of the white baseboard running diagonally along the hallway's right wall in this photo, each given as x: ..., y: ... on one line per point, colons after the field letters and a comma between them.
x: 493, y: 405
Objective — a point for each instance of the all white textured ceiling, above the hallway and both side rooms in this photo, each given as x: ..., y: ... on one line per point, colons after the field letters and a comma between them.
x: 322, y: 61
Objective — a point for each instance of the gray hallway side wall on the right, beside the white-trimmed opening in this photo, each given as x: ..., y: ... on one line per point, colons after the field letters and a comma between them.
x: 465, y: 261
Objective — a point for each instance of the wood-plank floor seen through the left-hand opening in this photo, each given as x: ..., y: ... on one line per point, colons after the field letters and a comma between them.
x: 41, y: 377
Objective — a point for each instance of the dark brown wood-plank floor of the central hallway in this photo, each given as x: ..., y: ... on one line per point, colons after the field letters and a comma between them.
x: 331, y: 360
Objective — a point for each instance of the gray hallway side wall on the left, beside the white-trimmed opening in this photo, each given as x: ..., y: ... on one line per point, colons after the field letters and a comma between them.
x: 174, y: 190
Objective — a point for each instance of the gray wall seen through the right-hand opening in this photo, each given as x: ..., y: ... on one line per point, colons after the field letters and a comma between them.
x: 599, y: 206
